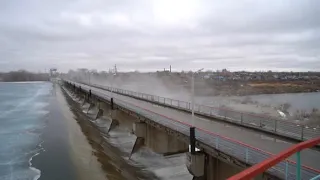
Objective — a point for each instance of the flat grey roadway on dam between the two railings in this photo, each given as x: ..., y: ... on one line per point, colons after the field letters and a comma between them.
x: 266, y: 143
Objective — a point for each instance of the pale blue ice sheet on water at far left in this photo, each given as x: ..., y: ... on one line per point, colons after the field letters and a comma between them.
x: 22, y: 117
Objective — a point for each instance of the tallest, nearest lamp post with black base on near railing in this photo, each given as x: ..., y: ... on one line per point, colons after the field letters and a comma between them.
x: 192, y: 128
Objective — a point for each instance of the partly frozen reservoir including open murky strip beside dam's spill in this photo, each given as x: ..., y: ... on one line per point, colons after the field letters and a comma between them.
x: 40, y: 139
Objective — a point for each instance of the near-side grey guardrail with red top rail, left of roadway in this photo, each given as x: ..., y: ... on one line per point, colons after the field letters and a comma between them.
x: 239, y: 150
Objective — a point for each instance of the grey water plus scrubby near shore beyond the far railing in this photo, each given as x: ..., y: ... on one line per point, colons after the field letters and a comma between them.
x: 300, y: 108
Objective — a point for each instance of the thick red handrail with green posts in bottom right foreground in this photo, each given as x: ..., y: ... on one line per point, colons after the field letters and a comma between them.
x: 275, y: 160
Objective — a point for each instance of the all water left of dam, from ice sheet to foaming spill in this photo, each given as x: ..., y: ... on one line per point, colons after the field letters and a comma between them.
x: 43, y: 136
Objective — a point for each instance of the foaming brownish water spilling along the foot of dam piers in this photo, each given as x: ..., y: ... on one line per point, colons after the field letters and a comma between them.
x: 118, y: 144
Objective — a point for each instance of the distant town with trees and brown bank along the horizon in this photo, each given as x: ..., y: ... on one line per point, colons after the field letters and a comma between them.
x: 219, y: 82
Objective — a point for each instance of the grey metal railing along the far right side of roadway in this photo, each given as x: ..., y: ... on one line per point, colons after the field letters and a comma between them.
x: 269, y: 124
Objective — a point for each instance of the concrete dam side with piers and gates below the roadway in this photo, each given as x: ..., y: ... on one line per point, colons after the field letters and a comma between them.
x: 215, y: 157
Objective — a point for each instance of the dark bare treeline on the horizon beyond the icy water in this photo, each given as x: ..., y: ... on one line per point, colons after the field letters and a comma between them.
x: 22, y: 75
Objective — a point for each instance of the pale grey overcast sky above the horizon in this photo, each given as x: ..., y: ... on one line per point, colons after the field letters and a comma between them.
x: 149, y: 35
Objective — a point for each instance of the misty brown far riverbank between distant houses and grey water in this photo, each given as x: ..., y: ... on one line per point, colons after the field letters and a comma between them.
x: 171, y: 83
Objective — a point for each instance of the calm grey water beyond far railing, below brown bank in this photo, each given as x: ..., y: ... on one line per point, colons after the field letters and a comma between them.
x: 266, y: 103
